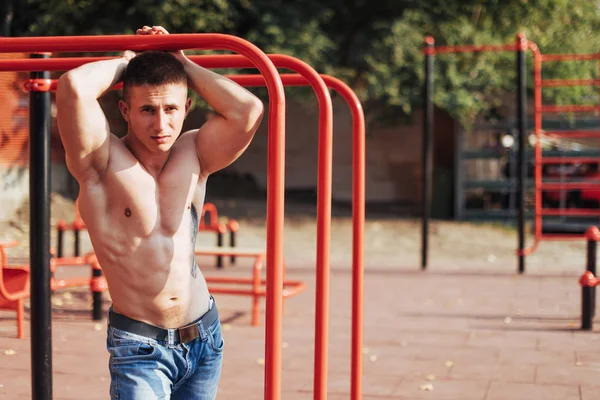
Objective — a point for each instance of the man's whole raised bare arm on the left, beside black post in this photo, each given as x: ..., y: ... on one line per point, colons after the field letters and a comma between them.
x: 82, y: 125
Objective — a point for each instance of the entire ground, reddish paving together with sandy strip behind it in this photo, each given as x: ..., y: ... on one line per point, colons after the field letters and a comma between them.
x: 467, y: 328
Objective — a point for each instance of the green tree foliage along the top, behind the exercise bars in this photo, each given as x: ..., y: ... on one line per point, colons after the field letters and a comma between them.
x: 375, y: 46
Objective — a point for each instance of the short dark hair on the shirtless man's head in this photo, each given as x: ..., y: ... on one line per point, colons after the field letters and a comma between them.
x: 154, y: 68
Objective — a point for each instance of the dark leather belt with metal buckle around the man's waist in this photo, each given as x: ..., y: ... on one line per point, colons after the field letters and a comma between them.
x: 185, y: 334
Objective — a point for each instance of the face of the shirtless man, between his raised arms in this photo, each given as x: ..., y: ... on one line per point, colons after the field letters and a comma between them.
x: 155, y: 114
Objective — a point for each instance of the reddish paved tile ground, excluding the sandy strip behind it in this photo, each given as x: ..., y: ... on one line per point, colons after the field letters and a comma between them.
x: 440, y: 334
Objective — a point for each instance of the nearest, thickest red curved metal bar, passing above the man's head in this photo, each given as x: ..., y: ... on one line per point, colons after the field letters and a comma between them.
x: 276, y: 148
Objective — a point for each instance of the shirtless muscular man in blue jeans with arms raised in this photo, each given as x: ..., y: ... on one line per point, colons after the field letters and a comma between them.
x: 164, y: 334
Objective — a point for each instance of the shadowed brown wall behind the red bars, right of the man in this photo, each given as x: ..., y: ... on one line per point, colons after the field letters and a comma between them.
x: 393, y: 154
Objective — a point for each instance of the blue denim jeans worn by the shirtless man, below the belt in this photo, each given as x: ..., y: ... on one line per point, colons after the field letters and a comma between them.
x: 145, y: 368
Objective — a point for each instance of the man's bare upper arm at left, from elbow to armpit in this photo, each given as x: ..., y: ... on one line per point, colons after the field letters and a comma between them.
x: 84, y: 131
